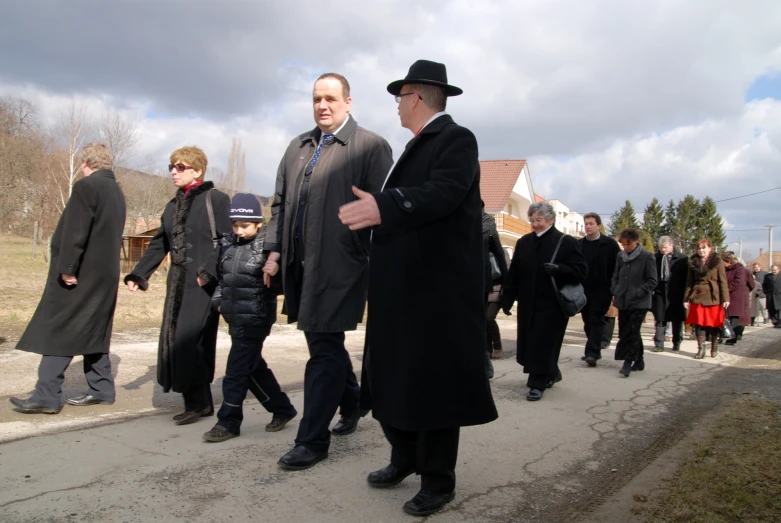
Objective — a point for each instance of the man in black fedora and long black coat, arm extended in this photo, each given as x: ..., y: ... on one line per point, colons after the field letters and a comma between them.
x: 423, y: 382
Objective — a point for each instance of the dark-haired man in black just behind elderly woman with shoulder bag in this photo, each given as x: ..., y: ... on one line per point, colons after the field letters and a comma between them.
x: 600, y: 253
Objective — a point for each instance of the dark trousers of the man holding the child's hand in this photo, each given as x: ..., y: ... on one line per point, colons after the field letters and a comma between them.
x: 329, y: 383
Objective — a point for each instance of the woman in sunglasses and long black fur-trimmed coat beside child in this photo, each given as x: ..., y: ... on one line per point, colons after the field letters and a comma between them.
x: 188, y: 336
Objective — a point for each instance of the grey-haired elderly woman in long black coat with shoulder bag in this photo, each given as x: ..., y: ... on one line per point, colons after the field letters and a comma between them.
x: 541, y: 321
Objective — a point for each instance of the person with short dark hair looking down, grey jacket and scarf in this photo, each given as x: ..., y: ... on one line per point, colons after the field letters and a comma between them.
x: 634, y: 281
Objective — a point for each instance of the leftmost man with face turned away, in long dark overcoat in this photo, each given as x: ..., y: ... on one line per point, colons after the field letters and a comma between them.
x: 76, y: 311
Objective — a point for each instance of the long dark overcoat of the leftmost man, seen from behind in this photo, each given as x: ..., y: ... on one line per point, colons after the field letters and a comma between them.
x: 86, y: 243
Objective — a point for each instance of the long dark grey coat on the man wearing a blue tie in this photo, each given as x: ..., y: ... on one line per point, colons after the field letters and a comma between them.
x: 333, y: 295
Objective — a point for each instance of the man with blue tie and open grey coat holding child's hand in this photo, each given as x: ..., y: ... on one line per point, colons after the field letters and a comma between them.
x: 324, y: 264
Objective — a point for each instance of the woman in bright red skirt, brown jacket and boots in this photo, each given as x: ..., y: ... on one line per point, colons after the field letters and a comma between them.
x: 707, y: 295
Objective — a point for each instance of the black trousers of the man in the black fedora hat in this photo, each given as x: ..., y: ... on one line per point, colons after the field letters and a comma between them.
x: 430, y: 453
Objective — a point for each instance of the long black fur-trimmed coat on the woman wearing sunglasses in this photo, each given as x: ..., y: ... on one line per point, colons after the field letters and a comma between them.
x: 188, y: 335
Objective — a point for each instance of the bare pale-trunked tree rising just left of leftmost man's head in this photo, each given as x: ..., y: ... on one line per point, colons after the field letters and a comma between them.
x: 71, y: 134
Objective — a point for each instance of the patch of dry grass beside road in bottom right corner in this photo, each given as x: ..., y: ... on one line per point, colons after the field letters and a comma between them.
x: 735, y: 474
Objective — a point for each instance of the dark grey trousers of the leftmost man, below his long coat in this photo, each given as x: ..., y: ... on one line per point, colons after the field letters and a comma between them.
x: 51, y: 374
